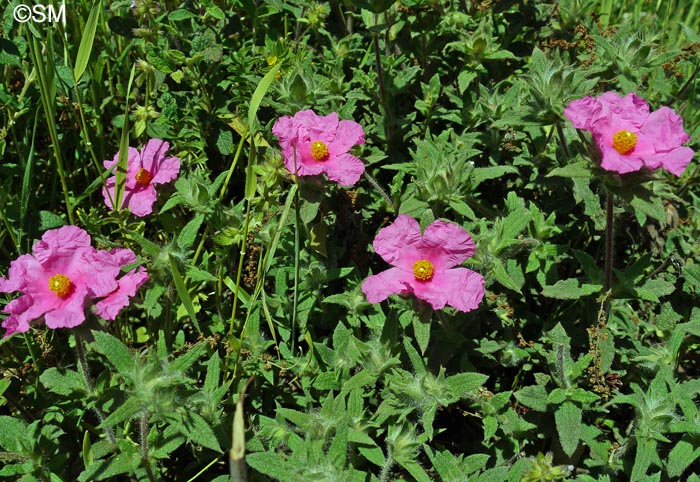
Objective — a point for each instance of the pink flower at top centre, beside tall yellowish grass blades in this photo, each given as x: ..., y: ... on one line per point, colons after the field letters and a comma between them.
x: 312, y: 145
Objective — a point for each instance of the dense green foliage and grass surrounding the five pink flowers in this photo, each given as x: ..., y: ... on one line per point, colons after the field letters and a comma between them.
x: 257, y: 274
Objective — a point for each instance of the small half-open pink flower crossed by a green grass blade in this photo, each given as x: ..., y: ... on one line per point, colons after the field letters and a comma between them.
x: 143, y: 171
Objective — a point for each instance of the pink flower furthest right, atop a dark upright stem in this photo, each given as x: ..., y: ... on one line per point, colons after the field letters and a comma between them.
x: 629, y: 136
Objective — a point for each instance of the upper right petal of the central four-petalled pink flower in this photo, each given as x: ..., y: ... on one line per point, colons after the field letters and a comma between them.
x: 446, y: 244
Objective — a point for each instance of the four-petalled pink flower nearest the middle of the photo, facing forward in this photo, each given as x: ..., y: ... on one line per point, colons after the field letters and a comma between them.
x: 424, y: 265
